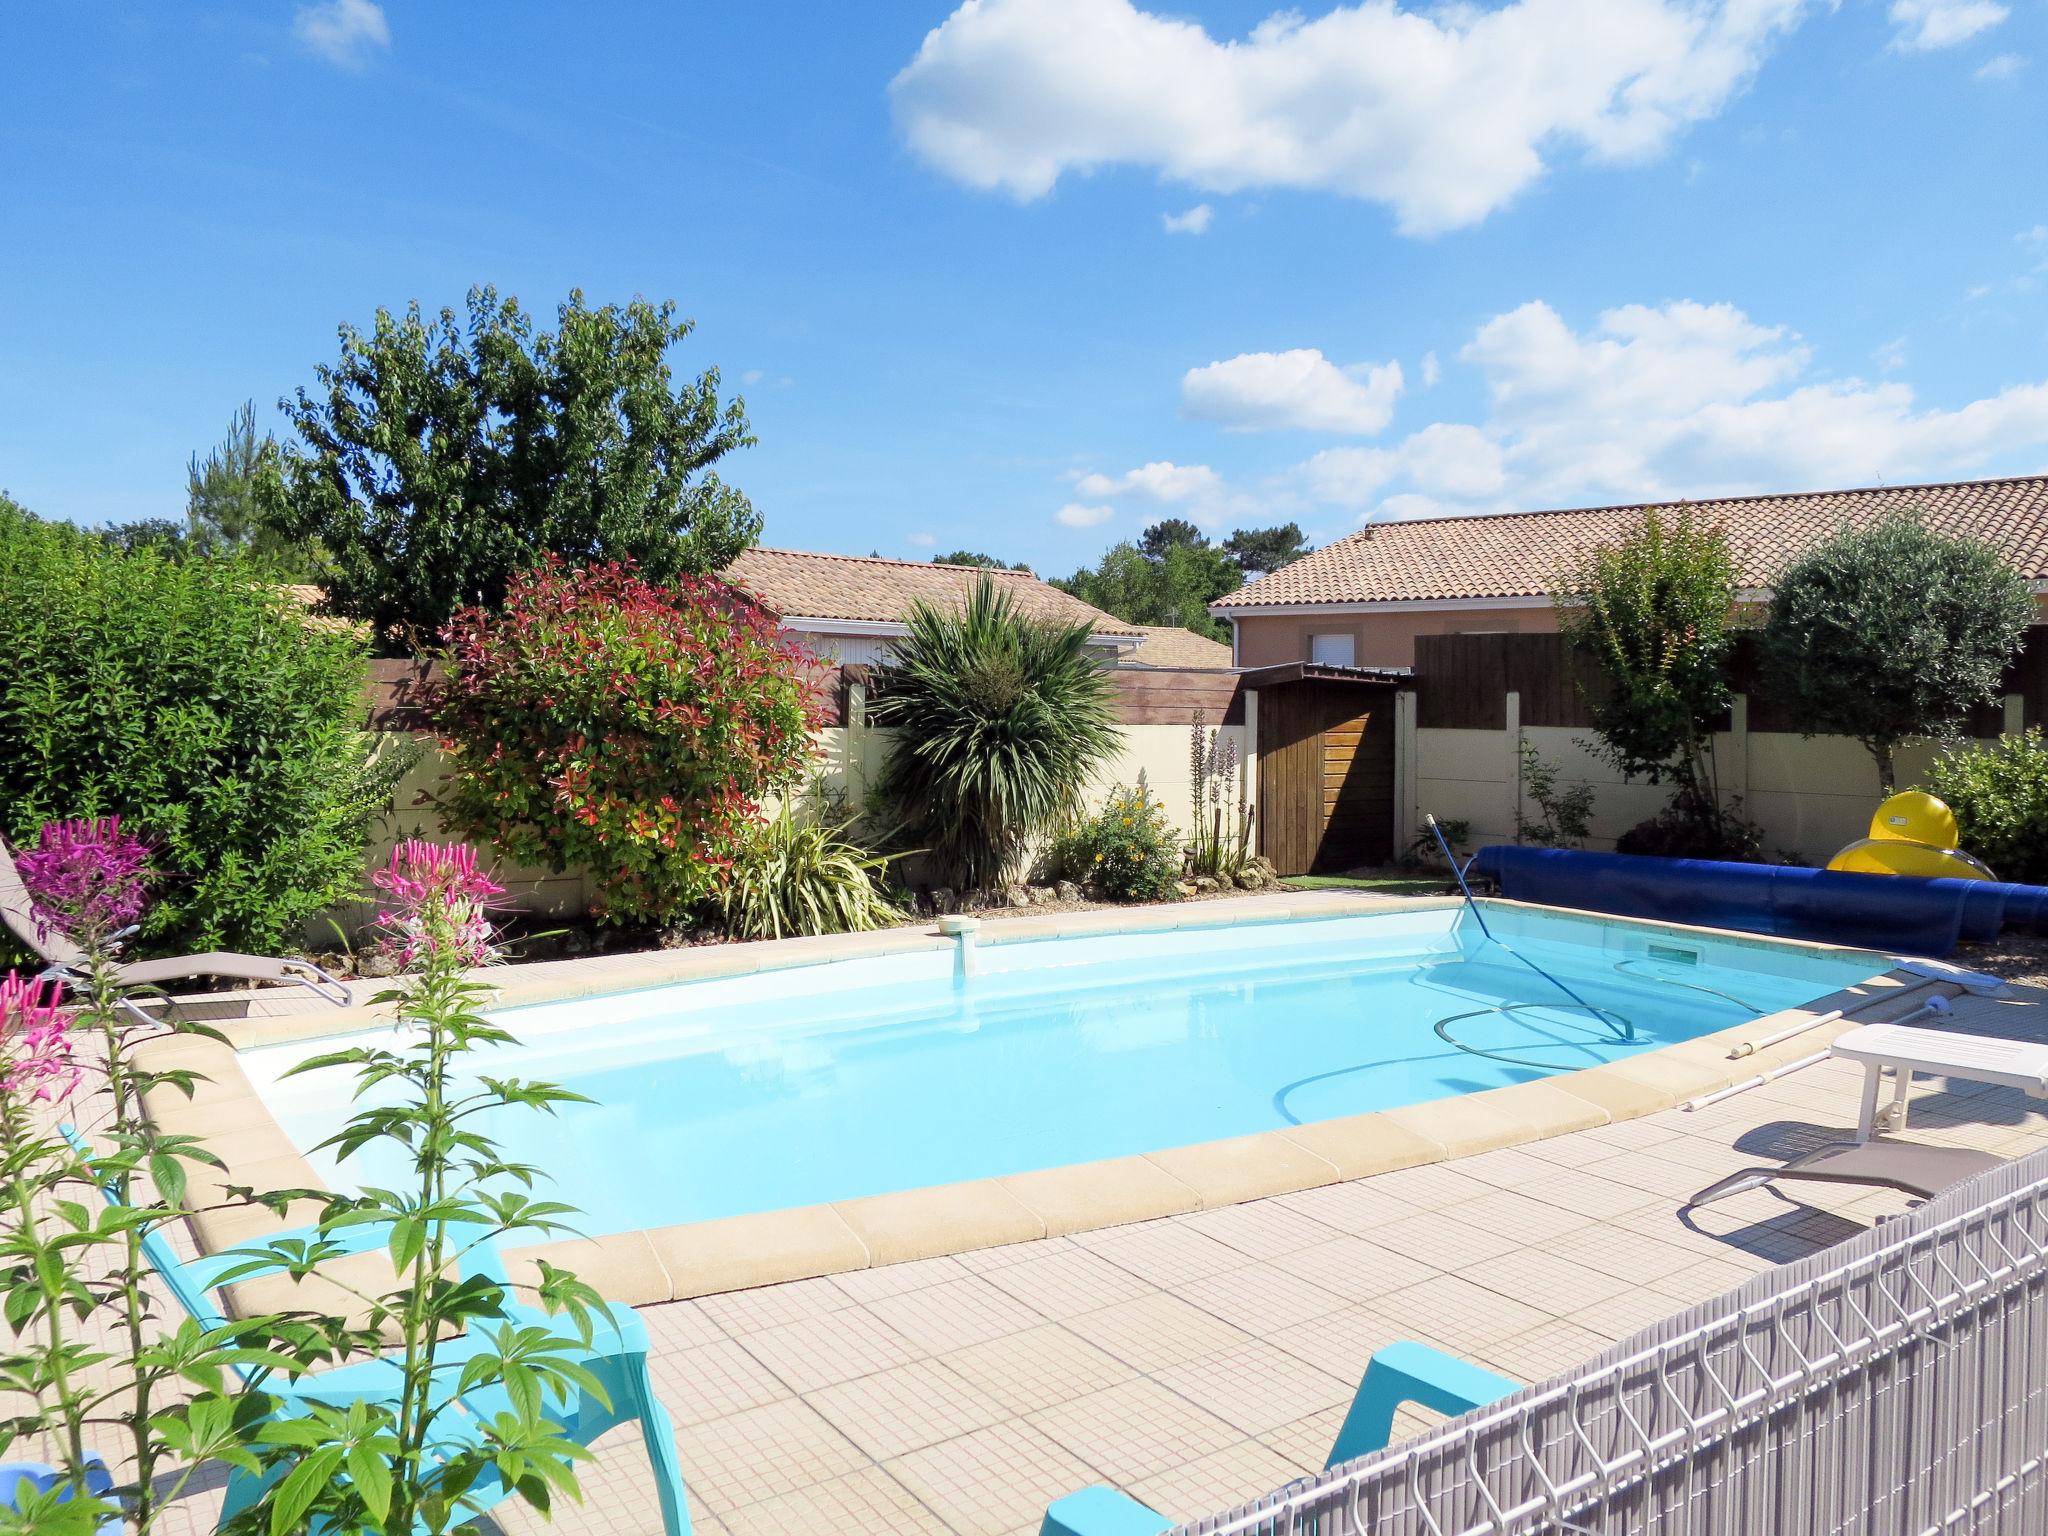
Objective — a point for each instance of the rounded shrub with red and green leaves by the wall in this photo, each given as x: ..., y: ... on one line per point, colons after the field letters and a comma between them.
x: 624, y: 728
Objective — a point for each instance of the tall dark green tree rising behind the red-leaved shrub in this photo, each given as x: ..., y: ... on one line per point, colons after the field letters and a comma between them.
x: 443, y: 456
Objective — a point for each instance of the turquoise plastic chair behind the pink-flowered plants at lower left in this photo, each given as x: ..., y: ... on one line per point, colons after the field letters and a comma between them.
x: 617, y: 1357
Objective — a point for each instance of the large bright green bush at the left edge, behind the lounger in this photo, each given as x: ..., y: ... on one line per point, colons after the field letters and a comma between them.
x: 198, y: 703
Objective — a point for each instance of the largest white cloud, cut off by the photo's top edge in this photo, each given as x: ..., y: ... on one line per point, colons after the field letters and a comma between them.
x: 1441, y: 114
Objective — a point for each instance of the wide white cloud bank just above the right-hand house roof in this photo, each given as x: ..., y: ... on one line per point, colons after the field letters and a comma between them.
x: 1680, y: 400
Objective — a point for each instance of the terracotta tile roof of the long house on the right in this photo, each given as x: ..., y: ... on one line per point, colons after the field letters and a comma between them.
x: 1519, y: 554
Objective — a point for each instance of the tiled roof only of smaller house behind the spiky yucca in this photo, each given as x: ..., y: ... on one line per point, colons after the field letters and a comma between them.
x: 867, y: 589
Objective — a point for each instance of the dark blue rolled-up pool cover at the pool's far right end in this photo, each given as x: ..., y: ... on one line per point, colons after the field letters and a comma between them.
x: 1885, y: 912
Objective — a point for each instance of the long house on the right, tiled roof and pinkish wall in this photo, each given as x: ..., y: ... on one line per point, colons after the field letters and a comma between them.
x: 1365, y: 599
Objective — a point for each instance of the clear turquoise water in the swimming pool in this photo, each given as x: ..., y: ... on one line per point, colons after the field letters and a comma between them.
x: 869, y: 1076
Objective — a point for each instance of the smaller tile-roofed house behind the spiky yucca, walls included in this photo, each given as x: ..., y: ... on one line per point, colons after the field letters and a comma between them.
x: 853, y: 607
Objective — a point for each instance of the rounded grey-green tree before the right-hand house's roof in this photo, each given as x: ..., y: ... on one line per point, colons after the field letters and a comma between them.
x: 1893, y: 632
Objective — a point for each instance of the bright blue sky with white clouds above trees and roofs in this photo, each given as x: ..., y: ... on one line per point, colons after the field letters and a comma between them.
x: 1422, y: 259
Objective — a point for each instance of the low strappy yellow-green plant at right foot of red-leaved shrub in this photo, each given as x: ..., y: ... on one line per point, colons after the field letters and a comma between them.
x: 802, y: 876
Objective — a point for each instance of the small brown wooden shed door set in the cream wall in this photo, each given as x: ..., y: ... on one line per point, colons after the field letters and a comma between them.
x: 1326, y: 775
